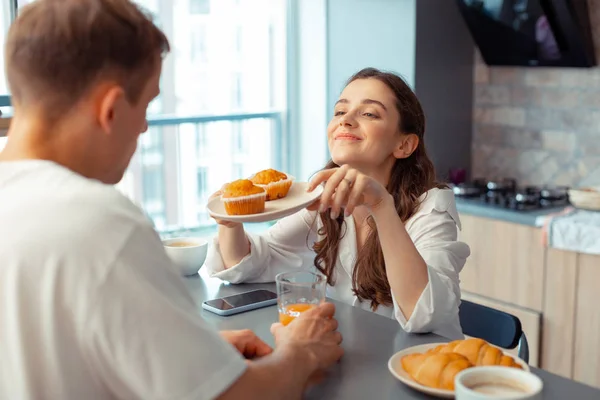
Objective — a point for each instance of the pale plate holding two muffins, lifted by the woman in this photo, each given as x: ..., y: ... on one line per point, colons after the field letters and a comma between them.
x: 296, y: 199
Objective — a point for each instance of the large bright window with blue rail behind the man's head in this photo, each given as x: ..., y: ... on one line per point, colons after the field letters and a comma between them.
x: 221, y: 110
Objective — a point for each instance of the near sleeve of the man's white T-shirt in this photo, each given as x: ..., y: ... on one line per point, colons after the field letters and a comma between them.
x: 145, y: 338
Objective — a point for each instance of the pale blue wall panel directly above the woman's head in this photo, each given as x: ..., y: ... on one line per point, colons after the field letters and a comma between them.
x: 369, y: 33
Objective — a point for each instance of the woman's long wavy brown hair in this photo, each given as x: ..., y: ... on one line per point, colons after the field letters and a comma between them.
x: 410, y: 178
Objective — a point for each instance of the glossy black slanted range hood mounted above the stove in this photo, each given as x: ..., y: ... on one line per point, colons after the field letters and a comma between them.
x: 551, y: 33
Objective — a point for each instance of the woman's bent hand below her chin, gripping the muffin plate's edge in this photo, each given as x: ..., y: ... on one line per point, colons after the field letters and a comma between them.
x: 347, y: 188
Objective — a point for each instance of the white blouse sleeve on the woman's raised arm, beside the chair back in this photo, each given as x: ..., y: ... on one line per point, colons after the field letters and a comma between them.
x: 434, y: 233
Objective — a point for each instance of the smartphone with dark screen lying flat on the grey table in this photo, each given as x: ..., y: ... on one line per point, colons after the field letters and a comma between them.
x: 241, y: 302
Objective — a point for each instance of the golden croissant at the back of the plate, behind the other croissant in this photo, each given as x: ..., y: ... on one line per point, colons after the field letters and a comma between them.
x: 478, y: 352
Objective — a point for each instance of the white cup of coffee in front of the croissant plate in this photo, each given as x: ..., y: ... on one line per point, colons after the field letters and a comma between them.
x: 497, y: 383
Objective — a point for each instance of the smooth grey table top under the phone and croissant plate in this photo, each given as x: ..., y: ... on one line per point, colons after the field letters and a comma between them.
x: 369, y: 341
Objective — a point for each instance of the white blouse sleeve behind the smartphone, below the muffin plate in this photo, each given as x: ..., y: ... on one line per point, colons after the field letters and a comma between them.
x: 285, y: 246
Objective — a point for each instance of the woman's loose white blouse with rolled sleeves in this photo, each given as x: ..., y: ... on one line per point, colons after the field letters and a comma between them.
x: 287, y: 245
